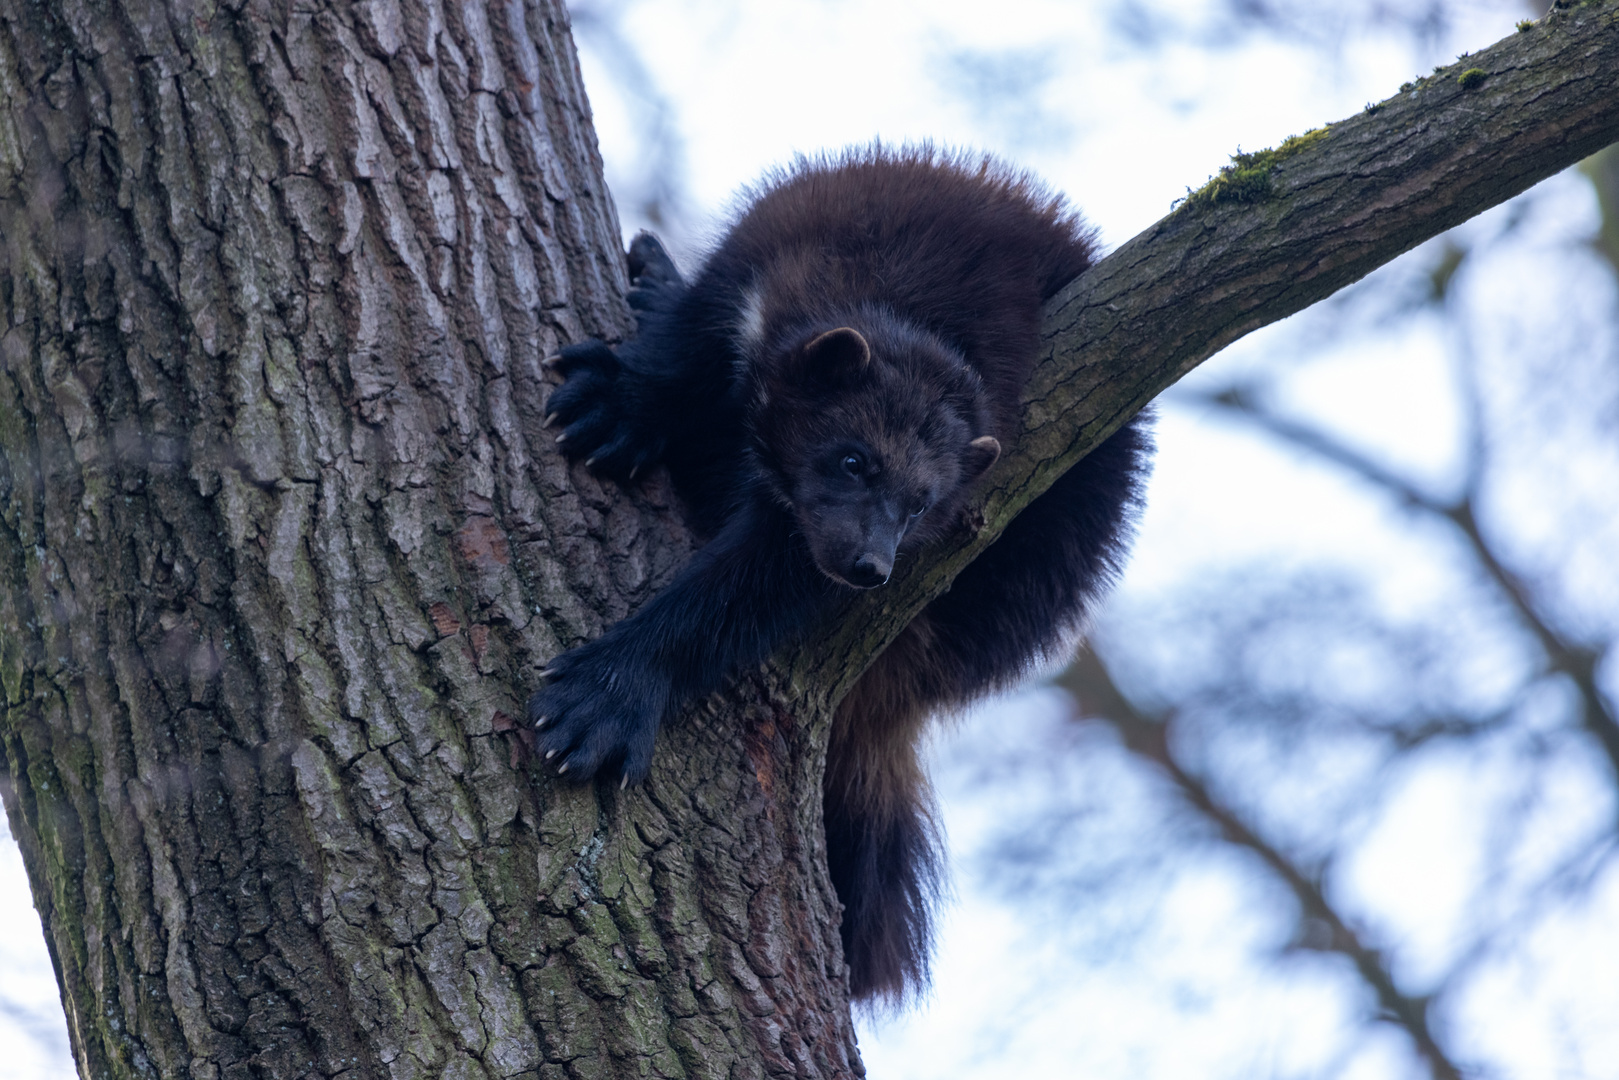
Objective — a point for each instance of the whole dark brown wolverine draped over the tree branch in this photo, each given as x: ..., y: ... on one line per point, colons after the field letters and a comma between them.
x: 825, y: 393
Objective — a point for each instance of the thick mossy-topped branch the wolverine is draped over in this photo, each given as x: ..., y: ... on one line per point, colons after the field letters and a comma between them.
x: 1319, y: 215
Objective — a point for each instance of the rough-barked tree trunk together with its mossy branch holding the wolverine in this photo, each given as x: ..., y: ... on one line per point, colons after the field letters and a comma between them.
x: 283, y: 545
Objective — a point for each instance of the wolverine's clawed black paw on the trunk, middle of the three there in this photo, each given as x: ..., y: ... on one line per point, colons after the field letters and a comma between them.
x: 592, y: 412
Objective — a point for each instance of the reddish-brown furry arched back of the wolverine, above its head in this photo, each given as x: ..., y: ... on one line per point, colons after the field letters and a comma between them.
x: 959, y: 245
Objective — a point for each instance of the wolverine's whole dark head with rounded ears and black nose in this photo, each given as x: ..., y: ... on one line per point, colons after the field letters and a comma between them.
x: 872, y: 438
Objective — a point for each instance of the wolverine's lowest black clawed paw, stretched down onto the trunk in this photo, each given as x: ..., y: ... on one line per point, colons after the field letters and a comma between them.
x: 598, y: 713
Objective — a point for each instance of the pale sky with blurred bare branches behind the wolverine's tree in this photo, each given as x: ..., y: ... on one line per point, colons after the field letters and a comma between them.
x: 1336, y: 791
